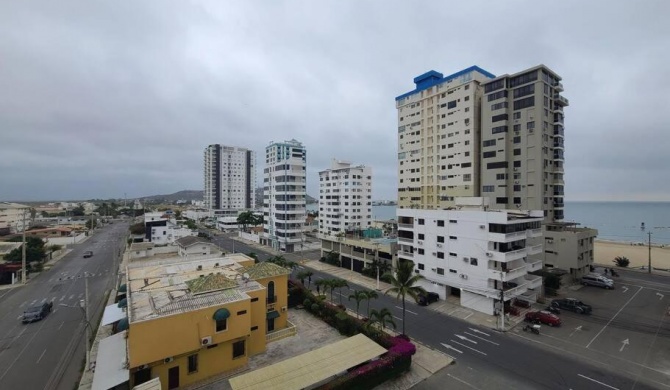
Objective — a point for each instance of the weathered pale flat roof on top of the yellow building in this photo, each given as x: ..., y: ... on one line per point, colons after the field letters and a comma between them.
x: 172, y: 286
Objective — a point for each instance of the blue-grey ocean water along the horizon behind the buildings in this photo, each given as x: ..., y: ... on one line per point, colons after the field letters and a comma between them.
x: 615, y: 221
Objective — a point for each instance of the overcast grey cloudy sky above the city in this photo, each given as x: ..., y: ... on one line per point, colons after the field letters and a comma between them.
x: 104, y: 98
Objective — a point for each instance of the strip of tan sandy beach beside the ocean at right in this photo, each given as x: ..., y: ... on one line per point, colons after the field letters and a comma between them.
x: 605, y: 252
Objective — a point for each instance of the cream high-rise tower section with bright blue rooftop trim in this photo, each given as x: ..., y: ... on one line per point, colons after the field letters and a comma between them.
x: 438, y: 139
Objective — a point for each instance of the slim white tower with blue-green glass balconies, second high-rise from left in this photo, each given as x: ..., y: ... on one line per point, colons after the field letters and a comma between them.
x: 284, y: 195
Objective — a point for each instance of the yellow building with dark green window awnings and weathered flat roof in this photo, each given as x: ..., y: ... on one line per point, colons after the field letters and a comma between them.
x: 193, y: 319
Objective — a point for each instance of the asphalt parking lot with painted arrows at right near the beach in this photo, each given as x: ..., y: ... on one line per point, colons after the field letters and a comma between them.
x: 629, y: 328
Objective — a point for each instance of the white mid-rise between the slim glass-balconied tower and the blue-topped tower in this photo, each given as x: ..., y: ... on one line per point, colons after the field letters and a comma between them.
x: 345, y: 198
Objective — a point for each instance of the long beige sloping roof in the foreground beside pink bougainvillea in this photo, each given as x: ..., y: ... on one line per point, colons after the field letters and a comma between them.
x: 310, y: 368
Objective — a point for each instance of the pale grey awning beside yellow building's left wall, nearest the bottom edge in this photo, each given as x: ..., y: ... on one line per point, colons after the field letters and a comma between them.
x: 111, y: 364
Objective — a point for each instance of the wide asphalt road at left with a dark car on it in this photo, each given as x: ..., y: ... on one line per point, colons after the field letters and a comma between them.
x: 48, y: 354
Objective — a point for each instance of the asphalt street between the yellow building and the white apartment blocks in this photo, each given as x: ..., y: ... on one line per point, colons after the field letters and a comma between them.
x: 487, y: 359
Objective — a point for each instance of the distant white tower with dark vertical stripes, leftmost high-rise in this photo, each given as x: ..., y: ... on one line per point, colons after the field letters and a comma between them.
x: 230, y: 178
